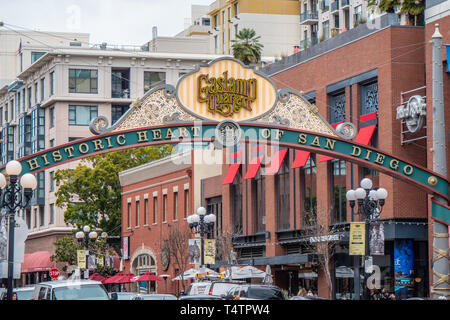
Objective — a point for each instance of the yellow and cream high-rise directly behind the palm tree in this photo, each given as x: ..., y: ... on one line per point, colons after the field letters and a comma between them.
x: 275, y: 21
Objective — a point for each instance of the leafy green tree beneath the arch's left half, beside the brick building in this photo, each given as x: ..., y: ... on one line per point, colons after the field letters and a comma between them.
x: 91, y: 193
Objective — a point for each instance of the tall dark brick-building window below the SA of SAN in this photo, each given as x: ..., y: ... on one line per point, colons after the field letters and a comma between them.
x: 309, y: 190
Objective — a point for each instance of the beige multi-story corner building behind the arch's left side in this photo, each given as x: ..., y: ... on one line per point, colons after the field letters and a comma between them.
x: 53, y: 101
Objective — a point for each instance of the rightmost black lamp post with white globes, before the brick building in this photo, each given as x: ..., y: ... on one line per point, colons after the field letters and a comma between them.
x: 370, y: 204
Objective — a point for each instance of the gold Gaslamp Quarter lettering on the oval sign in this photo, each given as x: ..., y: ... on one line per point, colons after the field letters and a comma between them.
x: 225, y: 95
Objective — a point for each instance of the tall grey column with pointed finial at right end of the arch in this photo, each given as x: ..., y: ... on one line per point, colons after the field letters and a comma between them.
x: 440, y: 231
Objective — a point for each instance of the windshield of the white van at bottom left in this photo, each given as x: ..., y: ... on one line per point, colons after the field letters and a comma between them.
x: 83, y: 292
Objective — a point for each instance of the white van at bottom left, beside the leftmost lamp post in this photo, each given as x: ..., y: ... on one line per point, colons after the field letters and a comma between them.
x: 70, y: 290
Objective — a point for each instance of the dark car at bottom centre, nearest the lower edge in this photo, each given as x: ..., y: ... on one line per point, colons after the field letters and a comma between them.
x: 255, y: 292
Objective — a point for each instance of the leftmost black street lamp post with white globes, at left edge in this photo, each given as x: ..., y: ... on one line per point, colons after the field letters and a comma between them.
x: 14, y: 196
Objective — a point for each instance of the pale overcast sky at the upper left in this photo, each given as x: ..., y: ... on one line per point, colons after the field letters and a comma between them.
x: 113, y: 21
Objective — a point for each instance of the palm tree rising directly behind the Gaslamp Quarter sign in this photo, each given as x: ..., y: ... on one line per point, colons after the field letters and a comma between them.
x: 246, y: 47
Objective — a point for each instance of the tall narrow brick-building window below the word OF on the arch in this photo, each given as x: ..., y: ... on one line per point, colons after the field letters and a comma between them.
x: 283, y: 192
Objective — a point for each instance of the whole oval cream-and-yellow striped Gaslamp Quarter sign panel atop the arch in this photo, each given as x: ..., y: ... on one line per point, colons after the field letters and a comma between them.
x: 226, y: 89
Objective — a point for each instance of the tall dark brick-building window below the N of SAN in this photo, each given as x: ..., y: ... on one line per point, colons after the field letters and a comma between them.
x: 338, y: 191
